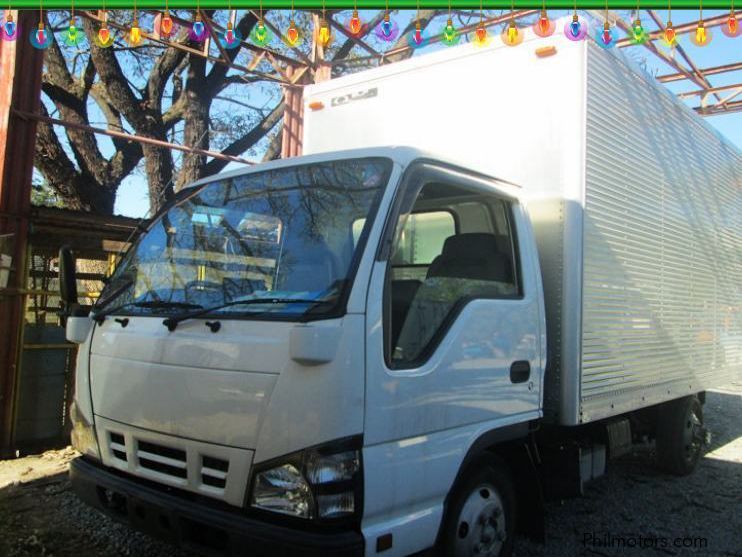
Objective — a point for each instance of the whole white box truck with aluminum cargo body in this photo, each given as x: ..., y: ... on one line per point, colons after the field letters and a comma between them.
x: 377, y: 350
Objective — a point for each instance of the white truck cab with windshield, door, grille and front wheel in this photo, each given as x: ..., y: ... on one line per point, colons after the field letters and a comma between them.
x: 318, y: 355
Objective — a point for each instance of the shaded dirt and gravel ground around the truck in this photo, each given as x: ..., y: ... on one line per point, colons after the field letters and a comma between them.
x: 633, y: 510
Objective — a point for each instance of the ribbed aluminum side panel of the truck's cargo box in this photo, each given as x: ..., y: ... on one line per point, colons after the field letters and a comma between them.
x: 662, y: 246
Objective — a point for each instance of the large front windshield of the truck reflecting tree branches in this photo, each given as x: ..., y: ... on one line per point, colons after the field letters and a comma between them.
x: 280, y: 234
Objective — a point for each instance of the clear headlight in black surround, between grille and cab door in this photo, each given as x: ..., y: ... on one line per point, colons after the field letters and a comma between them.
x: 323, y: 483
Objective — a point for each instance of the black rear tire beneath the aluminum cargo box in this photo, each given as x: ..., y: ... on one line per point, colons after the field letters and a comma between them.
x: 680, y: 435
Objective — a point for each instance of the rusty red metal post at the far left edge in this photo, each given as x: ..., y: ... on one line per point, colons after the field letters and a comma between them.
x: 17, y: 147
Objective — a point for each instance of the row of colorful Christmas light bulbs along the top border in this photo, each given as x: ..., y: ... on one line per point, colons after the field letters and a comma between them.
x: 197, y: 30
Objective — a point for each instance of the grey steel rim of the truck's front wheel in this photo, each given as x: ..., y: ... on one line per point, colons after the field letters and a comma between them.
x: 481, y: 528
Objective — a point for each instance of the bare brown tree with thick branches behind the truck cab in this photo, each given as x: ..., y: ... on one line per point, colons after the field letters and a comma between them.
x: 156, y: 92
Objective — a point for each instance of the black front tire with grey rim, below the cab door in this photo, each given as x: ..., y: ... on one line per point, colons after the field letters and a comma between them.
x: 487, y: 483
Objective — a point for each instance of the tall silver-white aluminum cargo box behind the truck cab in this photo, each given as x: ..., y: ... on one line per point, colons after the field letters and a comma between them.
x: 636, y: 203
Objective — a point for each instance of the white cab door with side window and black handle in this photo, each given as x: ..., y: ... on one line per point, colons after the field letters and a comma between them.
x: 457, y: 339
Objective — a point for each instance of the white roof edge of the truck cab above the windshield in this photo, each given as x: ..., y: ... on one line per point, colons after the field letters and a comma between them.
x: 401, y: 155
